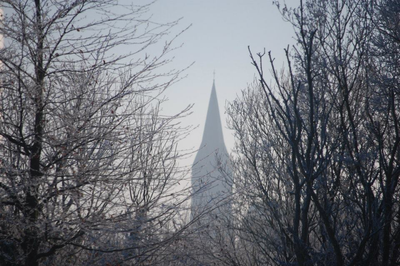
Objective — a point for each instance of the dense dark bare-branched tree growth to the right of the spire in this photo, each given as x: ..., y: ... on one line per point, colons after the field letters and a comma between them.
x: 319, y: 147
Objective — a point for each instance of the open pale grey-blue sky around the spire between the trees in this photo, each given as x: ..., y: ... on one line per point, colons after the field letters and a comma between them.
x: 218, y: 39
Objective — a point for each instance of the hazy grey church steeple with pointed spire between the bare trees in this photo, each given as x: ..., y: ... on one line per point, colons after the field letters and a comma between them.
x: 211, y: 165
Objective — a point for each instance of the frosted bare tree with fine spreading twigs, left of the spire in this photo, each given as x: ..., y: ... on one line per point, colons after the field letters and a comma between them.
x: 88, y: 166
